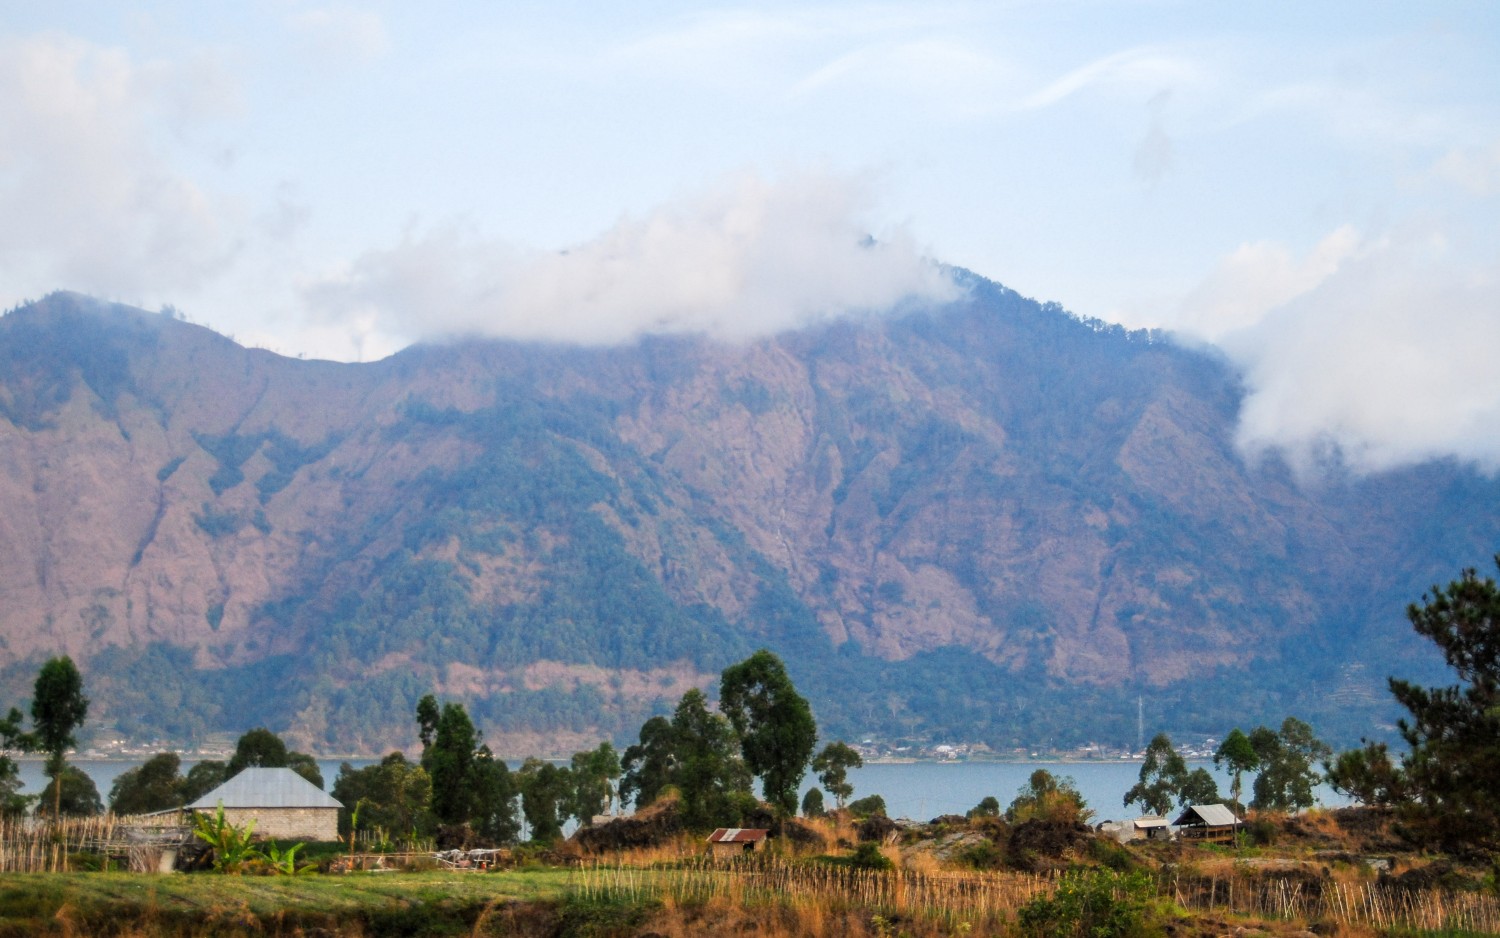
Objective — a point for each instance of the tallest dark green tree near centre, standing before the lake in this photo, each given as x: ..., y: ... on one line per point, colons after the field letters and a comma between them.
x: 775, y: 724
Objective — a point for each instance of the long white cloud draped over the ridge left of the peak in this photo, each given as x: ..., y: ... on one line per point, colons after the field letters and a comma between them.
x: 749, y: 257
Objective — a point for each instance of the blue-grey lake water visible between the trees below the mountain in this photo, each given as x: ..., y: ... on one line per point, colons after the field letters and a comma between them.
x: 911, y: 790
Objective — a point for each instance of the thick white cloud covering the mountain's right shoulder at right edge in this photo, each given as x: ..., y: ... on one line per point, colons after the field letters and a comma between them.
x: 1378, y: 349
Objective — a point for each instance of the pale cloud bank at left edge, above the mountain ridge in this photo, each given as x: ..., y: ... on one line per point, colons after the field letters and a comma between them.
x: 89, y: 200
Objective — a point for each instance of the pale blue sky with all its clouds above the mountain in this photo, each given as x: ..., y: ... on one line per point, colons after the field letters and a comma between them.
x: 1310, y: 188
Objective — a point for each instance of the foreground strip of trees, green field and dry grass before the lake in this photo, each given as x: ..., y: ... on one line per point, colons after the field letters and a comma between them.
x: 457, y: 843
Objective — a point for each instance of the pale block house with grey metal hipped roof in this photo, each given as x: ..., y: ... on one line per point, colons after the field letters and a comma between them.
x: 284, y: 805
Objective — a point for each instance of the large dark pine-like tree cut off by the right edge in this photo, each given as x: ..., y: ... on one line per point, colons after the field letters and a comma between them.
x: 1450, y: 781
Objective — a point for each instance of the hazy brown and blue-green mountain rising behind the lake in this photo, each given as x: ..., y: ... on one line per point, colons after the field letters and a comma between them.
x: 986, y: 522
